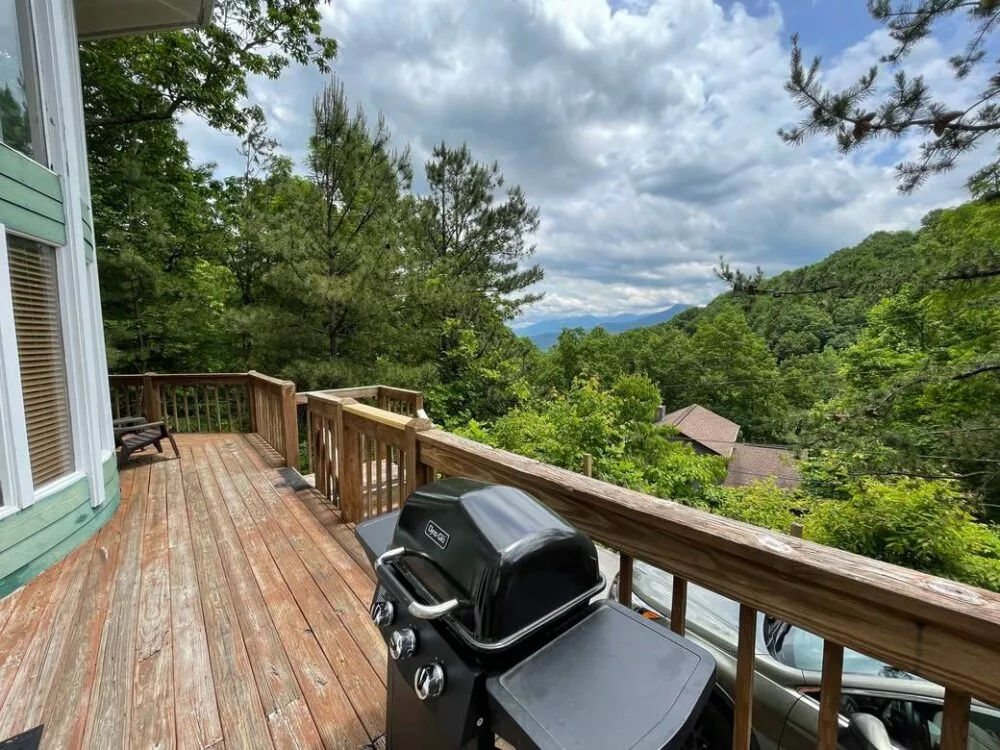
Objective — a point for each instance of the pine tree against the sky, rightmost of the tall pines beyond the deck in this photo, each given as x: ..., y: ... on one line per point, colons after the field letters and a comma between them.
x: 465, y: 280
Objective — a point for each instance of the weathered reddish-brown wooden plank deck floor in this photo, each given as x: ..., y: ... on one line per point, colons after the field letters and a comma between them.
x: 217, y: 608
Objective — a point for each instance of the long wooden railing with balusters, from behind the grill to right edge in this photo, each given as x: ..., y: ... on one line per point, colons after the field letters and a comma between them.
x: 938, y: 629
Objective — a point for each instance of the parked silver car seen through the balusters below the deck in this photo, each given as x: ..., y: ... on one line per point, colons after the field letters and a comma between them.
x: 788, y: 677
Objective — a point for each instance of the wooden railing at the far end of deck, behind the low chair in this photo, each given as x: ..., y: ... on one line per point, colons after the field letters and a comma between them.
x: 213, y: 402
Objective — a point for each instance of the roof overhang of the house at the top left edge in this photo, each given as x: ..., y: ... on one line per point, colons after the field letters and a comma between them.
x: 101, y: 19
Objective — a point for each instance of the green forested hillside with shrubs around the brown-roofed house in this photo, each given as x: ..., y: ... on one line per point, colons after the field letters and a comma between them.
x: 879, y: 367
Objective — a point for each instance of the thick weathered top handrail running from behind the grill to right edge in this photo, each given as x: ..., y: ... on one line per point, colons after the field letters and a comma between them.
x: 941, y: 630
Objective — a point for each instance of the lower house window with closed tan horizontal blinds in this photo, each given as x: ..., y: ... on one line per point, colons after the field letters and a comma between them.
x: 41, y: 358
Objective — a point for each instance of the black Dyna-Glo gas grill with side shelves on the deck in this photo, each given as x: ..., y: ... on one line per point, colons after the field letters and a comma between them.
x: 484, y: 598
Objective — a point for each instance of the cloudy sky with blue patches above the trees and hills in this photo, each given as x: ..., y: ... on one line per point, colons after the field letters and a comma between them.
x: 645, y: 130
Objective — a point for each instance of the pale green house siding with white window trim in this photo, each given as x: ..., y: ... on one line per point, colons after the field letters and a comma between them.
x: 51, y: 203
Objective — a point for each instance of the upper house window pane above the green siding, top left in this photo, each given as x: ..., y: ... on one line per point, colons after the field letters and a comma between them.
x: 20, y: 108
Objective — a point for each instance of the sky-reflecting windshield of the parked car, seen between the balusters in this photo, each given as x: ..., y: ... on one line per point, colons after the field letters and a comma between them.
x: 788, y: 644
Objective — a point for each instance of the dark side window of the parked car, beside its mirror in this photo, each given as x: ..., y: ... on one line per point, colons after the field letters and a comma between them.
x: 915, y: 724
